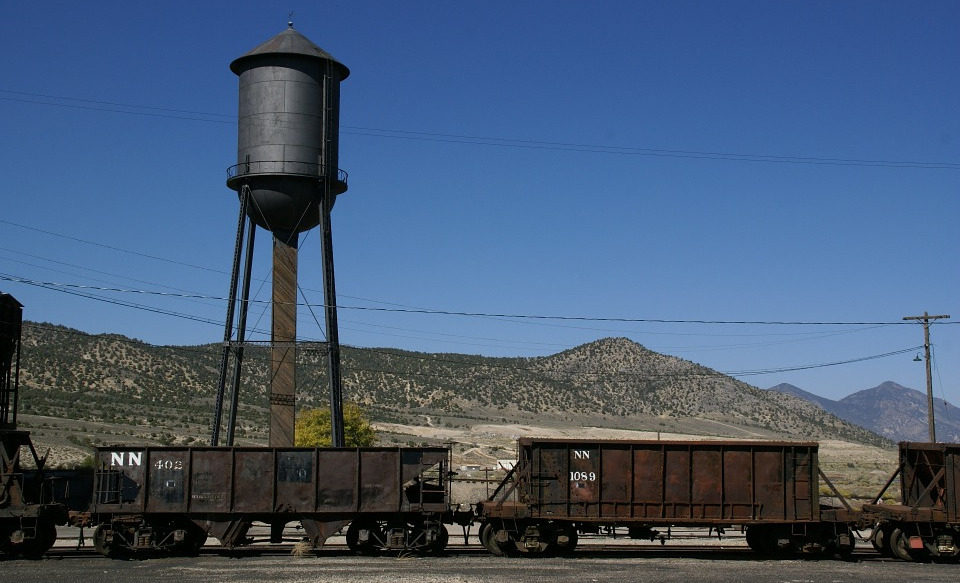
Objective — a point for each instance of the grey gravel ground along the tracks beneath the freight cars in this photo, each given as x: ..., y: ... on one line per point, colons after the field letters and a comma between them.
x: 683, y: 560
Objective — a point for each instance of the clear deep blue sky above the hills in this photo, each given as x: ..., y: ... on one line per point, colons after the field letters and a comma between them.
x: 602, y: 165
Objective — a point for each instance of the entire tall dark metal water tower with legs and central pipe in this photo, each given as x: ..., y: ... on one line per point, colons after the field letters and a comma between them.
x: 287, y: 180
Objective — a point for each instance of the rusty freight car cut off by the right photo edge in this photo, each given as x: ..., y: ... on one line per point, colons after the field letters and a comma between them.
x: 926, y: 522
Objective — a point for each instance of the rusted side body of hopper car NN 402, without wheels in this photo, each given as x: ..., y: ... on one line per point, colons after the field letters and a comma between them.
x: 276, y: 483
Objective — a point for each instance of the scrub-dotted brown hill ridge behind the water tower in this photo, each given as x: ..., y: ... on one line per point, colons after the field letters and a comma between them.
x: 609, y: 382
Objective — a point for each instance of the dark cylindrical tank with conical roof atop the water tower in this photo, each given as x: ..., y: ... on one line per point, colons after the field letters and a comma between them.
x: 289, y: 122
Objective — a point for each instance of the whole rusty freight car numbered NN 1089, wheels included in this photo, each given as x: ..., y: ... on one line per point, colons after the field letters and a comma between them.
x: 559, y: 488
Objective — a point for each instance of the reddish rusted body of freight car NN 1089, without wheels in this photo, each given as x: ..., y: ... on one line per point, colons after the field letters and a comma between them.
x: 657, y: 482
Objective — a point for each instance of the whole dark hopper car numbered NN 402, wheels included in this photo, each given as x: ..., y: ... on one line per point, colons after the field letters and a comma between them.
x: 169, y: 499
